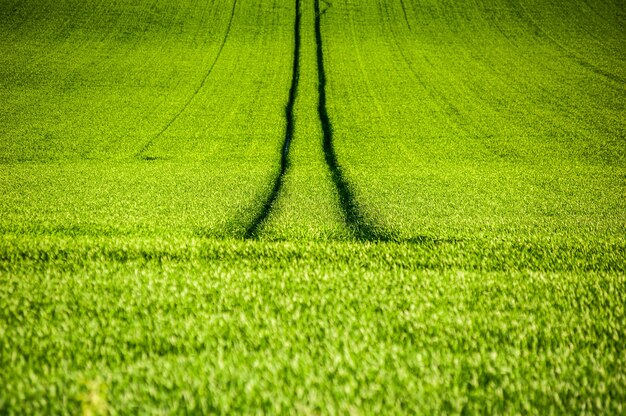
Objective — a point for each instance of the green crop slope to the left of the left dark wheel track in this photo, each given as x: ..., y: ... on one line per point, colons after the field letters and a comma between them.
x: 151, y: 118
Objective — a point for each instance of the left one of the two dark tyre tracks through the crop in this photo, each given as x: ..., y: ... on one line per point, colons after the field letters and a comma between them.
x: 253, y: 229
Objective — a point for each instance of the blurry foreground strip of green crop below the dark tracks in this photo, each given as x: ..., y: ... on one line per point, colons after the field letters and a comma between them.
x: 201, y: 326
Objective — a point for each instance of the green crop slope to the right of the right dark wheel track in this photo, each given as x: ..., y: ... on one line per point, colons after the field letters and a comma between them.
x: 470, y: 120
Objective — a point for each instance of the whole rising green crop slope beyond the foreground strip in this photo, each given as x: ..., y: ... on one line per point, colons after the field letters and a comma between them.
x: 448, y: 121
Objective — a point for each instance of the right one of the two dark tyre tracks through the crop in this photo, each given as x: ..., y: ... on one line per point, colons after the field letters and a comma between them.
x: 356, y: 220
